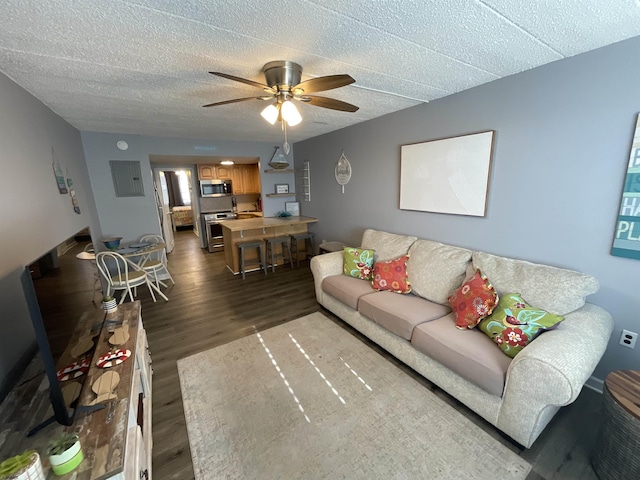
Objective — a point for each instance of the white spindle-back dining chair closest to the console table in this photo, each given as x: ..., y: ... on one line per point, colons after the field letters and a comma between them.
x: 122, y: 275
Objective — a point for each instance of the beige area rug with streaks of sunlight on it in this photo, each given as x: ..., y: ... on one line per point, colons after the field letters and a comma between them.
x: 307, y: 399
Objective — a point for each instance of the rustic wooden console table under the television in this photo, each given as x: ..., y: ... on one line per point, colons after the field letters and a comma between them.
x: 116, y: 441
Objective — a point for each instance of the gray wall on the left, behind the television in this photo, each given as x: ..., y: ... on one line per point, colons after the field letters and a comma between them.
x: 35, y: 216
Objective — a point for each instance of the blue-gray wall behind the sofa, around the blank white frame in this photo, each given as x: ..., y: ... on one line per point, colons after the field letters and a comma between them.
x: 562, y: 138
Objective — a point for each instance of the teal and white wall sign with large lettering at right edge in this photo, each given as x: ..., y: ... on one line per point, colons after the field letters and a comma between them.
x: 626, y: 241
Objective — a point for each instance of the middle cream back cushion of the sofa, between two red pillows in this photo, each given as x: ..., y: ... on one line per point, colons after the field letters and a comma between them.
x: 436, y: 269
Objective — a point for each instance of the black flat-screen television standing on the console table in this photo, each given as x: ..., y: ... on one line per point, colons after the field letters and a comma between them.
x: 60, y: 289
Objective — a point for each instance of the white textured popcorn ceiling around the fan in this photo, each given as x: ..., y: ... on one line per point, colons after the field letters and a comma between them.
x: 141, y: 66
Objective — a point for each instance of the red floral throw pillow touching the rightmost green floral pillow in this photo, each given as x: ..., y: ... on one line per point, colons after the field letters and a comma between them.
x: 473, y: 301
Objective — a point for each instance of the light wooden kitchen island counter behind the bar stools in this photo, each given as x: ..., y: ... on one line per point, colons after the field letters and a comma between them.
x: 236, y: 231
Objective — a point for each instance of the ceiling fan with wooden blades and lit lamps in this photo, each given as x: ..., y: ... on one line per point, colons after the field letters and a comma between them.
x: 283, y: 85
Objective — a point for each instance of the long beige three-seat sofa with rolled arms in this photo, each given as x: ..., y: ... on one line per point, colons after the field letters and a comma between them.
x: 520, y: 395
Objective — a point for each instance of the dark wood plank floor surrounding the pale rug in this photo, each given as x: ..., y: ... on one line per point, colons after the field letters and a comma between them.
x: 209, y: 306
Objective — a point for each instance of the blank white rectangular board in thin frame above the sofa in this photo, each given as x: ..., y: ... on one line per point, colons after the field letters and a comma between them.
x: 450, y: 175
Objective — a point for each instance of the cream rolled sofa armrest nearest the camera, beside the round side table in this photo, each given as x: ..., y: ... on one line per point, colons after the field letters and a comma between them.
x: 551, y: 371
